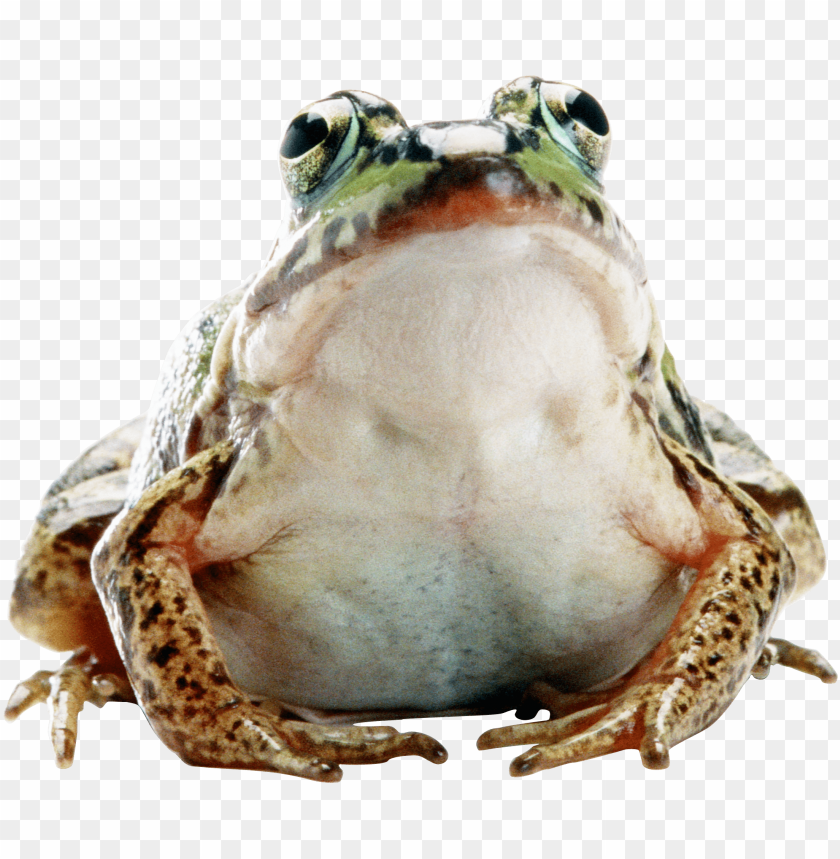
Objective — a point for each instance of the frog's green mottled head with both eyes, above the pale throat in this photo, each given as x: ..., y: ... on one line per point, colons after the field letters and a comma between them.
x: 360, y: 179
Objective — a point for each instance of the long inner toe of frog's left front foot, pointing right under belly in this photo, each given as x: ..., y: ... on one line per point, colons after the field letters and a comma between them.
x: 352, y: 744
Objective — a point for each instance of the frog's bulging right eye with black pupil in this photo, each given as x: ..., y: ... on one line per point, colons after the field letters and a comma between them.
x: 576, y: 120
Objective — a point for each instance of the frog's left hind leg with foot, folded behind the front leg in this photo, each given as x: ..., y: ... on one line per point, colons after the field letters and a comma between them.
x: 55, y: 603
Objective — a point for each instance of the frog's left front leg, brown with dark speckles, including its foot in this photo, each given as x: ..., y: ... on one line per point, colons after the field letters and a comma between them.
x: 177, y: 670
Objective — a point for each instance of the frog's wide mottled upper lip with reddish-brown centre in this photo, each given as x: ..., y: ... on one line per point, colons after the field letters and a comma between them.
x: 458, y: 192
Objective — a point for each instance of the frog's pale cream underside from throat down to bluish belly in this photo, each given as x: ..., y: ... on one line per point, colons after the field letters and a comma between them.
x: 445, y: 490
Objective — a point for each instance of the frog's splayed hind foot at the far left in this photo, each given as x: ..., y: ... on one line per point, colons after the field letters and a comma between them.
x: 67, y: 690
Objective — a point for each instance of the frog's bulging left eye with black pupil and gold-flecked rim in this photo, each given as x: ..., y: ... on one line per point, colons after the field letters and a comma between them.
x: 328, y: 136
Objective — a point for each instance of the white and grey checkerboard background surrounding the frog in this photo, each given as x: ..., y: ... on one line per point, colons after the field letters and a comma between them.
x: 139, y: 182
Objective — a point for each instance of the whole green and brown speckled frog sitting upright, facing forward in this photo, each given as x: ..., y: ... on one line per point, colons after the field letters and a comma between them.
x: 433, y: 459
